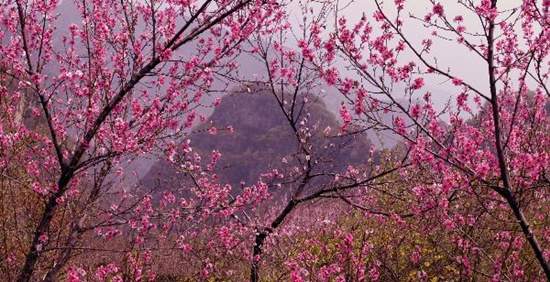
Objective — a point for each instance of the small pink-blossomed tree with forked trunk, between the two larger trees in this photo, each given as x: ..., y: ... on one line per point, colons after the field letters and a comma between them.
x: 239, y: 230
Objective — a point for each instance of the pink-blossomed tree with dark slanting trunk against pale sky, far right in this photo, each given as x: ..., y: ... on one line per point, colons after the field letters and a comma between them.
x: 488, y: 145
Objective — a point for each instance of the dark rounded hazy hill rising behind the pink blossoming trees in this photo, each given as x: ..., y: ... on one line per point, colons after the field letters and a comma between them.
x: 261, y: 137
